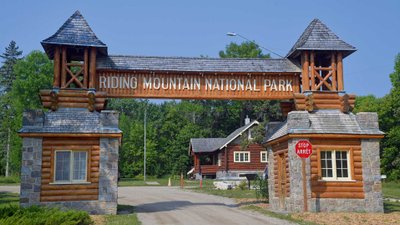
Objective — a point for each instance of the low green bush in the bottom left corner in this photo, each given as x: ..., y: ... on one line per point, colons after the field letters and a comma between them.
x: 36, y: 215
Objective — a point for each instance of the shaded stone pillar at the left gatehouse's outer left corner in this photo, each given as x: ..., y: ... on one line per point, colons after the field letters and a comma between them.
x: 31, y: 169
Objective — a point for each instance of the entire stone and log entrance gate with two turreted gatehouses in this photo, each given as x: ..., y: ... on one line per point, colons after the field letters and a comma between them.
x: 70, y: 153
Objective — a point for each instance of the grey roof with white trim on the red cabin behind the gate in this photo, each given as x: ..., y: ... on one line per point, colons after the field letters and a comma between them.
x: 213, y: 144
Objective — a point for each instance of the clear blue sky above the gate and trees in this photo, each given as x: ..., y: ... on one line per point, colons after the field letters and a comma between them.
x: 194, y: 28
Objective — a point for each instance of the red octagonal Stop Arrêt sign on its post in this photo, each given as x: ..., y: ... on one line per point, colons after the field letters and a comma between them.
x: 304, y: 150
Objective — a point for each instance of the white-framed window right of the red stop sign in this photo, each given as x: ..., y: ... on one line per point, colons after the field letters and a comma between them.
x: 335, y: 165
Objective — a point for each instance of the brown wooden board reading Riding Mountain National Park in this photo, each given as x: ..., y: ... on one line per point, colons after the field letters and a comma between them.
x: 197, y: 85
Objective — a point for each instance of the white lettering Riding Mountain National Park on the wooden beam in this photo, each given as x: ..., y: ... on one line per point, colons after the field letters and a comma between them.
x: 151, y: 82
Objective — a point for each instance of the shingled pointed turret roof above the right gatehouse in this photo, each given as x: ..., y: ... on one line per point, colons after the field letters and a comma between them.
x: 318, y: 36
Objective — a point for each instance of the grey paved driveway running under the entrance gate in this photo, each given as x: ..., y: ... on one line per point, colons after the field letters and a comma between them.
x: 171, y: 205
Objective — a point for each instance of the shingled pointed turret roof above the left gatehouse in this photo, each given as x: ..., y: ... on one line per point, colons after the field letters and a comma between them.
x: 74, y: 32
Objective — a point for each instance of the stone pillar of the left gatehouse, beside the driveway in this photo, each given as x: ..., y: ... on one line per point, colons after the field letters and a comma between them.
x: 108, y: 178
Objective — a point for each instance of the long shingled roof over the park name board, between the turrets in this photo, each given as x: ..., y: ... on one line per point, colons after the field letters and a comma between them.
x: 155, y: 63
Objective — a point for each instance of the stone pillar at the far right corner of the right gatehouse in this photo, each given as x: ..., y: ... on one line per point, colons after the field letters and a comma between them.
x: 371, y: 175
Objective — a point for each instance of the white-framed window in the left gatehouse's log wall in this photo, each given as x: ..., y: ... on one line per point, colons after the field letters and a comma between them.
x: 70, y: 166
